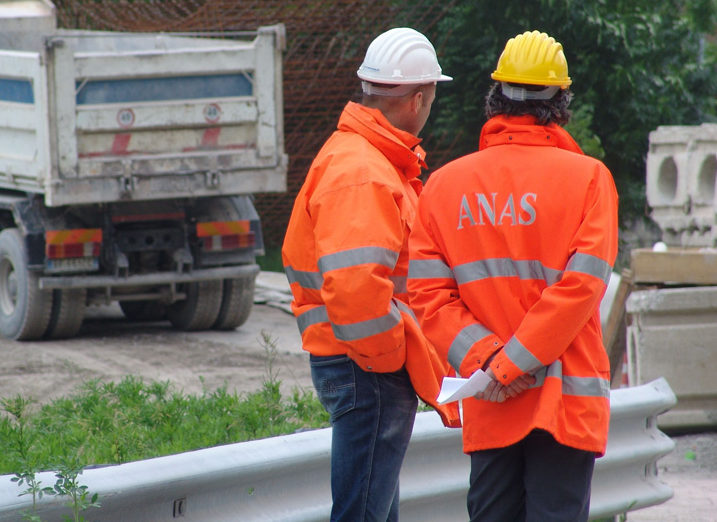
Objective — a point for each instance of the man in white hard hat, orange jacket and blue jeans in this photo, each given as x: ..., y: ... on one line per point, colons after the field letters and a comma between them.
x: 346, y: 257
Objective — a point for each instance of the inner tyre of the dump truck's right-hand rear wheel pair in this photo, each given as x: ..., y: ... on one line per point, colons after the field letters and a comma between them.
x: 199, y: 311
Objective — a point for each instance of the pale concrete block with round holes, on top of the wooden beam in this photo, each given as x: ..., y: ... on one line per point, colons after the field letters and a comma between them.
x: 681, y: 168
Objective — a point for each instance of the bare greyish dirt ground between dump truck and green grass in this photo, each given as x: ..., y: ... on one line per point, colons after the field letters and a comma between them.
x: 110, y: 347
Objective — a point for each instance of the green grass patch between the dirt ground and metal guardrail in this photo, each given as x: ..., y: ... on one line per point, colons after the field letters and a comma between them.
x: 112, y: 423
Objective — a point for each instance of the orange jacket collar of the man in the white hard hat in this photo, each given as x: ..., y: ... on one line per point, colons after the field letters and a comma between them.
x: 401, y: 148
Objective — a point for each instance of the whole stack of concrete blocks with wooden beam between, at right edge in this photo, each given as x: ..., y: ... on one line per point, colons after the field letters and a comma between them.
x: 673, y: 323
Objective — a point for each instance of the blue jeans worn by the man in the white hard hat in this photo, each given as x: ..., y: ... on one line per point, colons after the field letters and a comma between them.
x: 372, y: 418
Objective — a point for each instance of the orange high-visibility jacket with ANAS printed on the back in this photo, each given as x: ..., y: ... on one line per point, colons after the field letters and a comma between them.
x: 510, y: 255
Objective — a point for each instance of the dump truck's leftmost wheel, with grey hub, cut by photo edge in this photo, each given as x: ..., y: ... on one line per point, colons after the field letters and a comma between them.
x: 24, y: 308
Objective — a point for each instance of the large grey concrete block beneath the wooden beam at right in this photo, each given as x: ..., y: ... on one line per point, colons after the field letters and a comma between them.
x: 672, y: 334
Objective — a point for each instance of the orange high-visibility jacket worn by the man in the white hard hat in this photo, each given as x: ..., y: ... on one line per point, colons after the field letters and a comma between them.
x: 346, y: 252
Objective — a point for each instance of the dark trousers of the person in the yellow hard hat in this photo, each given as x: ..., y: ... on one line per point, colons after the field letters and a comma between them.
x: 535, y: 480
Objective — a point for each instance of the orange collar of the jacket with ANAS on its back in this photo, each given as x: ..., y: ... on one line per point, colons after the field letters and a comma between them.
x: 502, y: 130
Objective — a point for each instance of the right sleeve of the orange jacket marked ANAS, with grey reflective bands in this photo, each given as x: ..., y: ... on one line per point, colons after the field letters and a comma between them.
x: 564, y: 308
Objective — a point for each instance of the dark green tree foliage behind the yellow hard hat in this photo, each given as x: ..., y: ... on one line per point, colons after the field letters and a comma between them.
x: 635, y: 65
